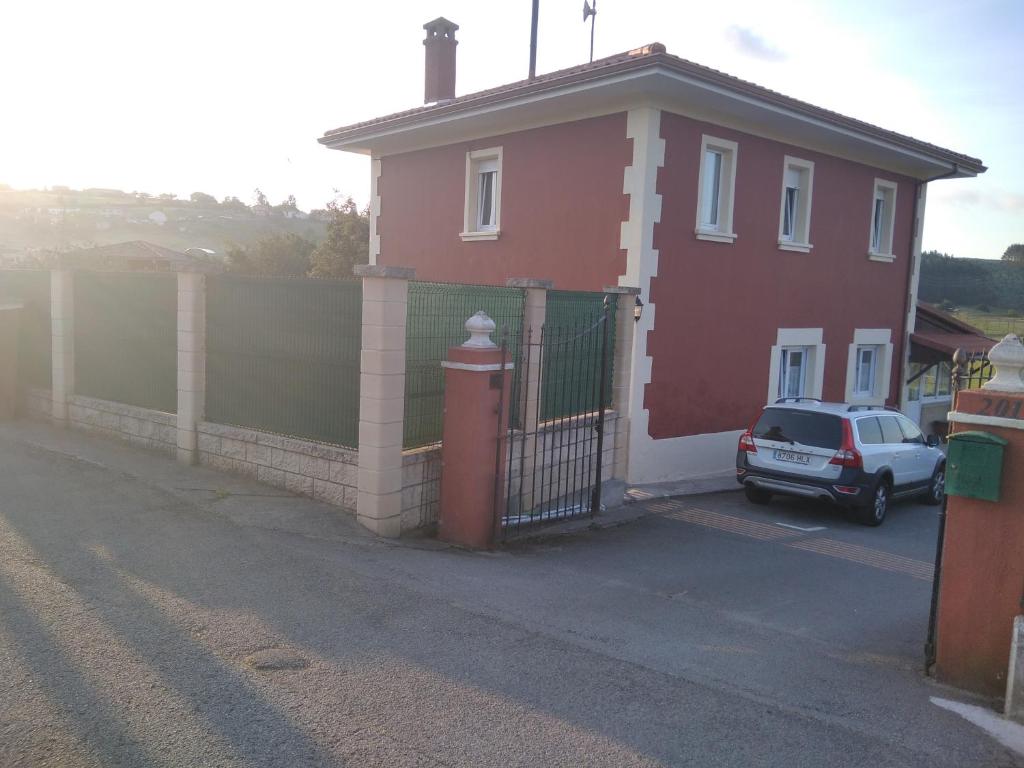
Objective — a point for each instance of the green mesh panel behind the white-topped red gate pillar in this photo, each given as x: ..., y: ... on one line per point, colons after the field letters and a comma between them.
x: 438, y: 314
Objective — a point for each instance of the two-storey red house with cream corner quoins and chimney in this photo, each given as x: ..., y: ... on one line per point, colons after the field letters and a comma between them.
x: 776, y: 244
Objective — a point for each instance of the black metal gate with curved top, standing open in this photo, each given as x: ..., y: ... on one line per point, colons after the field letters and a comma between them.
x: 556, y: 442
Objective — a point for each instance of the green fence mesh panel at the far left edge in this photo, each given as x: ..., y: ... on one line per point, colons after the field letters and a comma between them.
x: 32, y: 289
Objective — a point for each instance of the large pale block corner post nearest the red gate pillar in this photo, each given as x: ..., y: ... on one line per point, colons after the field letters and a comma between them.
x: 382, y: 397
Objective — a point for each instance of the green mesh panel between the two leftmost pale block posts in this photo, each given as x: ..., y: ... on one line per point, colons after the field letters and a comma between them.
x: 126, y: 338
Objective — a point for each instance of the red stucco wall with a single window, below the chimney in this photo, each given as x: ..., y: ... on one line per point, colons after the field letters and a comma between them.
x: 563, y: 206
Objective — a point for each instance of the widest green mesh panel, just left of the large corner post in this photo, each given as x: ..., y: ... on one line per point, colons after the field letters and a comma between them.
x: 283, y: 356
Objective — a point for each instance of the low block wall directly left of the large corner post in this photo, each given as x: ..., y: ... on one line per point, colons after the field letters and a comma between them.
x: 328, y: 474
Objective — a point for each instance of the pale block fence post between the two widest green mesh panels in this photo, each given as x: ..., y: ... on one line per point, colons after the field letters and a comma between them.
x: 192, y: 363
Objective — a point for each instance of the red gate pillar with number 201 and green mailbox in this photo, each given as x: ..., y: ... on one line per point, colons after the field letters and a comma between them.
x: 983, y: 583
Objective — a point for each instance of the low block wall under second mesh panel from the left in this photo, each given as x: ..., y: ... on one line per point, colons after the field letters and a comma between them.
x: 150, y: 430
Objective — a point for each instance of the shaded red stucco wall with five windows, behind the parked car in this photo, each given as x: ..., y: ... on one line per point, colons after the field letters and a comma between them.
x: 719, y: 306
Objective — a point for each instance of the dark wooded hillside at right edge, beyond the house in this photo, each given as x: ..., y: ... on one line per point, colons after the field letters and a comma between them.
x: 972, y: 282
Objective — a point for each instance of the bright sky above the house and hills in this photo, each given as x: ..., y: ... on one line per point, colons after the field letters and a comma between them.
x: 223, y: 97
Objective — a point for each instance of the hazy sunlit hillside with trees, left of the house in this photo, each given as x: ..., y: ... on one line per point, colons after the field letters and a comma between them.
x: 61, y: 219
